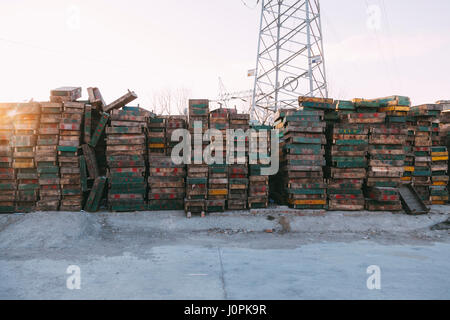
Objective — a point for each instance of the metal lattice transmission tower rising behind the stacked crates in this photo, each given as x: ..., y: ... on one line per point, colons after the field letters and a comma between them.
x: 290, y: 59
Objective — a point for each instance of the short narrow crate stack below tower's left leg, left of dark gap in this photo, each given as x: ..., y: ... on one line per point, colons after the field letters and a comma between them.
x: 259, y: 157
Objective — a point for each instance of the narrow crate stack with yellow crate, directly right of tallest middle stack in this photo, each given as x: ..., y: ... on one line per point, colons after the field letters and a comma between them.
x: 218, y: 171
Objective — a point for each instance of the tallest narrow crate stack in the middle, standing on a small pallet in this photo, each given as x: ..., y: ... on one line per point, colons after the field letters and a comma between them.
x: 197, y: 170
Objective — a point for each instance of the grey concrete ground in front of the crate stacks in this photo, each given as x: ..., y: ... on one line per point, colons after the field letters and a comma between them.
x: 237, y: 255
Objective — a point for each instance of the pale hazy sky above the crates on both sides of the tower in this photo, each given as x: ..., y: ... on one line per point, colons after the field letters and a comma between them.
x: 149, y: 45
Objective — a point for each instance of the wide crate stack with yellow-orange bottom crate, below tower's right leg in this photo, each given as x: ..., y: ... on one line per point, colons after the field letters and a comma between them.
x: 302, y: 158
